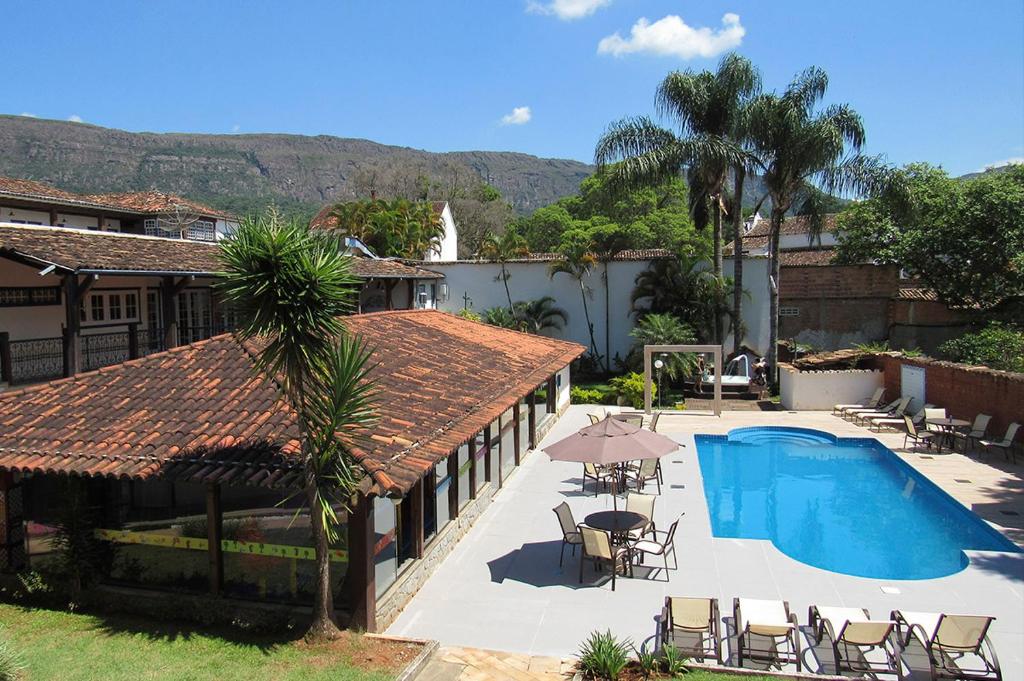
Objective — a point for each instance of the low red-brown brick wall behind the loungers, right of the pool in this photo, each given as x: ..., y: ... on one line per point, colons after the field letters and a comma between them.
x: 964, y: 392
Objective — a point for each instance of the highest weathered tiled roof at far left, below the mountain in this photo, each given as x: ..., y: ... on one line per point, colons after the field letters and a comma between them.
x: 146, y: 203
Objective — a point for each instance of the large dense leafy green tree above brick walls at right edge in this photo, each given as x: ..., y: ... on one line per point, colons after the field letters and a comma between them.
x: 962, y: 239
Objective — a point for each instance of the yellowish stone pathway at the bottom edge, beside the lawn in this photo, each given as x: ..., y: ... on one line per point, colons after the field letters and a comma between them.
x: 457, y: 664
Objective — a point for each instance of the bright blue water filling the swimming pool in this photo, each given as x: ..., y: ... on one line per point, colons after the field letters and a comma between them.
x: 846, y: 505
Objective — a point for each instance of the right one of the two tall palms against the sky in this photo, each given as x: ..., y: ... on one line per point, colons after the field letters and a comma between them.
x: 802, y: 152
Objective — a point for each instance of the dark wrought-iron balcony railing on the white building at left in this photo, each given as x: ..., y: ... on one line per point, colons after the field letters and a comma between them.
x: 44, y: 359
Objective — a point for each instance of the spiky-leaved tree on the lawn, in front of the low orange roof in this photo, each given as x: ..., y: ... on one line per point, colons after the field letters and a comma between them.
x: 289, y: 287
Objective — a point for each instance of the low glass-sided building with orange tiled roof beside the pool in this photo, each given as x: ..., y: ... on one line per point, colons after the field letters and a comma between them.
x: 190, y: 459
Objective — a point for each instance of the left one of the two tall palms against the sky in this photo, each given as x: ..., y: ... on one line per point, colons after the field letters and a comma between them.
x: 706, y: 108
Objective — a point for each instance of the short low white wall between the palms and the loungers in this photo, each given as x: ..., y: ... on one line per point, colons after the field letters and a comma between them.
x: 824, y: 390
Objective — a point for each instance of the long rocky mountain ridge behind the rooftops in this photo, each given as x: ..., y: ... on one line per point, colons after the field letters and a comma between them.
x: 245, y: 173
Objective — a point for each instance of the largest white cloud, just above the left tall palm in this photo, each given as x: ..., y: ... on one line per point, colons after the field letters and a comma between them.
x: 671, y: 36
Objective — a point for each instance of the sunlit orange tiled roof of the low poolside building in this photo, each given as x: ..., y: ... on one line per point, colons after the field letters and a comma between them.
x: 198, y: 413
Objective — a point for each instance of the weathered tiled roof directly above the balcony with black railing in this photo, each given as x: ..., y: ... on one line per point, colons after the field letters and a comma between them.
x: 78, y: 250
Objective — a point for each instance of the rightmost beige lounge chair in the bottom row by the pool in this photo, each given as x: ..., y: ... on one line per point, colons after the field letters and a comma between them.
x: 958, y: 646
